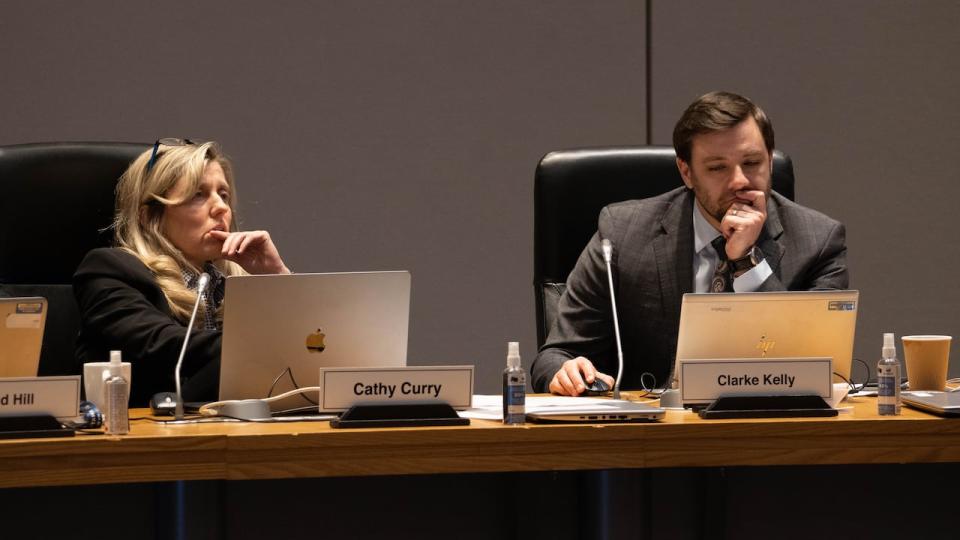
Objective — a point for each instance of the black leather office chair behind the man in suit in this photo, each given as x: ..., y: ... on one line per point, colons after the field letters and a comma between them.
x: 570, y: 189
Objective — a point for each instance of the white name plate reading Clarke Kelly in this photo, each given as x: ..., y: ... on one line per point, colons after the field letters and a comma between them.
x: 704, y: 380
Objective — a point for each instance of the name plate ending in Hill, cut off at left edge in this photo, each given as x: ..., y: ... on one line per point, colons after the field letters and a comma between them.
x: 56, y: 396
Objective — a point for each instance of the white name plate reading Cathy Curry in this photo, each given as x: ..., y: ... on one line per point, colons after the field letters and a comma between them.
x: 341, y: 388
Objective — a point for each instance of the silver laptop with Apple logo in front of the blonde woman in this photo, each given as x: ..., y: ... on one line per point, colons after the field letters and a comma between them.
x: 284, y: 328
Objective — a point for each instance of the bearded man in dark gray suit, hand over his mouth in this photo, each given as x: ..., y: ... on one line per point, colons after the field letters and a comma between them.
x: 725, y: 231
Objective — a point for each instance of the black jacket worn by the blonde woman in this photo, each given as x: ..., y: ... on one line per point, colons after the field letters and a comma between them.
x: 122, y: 308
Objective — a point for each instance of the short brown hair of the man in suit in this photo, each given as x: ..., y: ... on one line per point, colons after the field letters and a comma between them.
x: 717, y: 111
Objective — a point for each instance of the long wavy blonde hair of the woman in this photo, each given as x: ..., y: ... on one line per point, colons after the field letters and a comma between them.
x: 141, y: 201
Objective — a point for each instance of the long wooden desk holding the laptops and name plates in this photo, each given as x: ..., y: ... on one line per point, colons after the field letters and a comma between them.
x: 234, y: 451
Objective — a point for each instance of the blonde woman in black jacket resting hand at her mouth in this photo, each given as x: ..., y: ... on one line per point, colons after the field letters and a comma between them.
x: 174, y: 220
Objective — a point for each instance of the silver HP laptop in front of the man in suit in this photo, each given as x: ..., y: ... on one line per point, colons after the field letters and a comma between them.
x: 794, y: 324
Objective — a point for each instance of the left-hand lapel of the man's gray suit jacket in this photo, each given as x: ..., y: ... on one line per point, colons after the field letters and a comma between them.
x: 673, y: 248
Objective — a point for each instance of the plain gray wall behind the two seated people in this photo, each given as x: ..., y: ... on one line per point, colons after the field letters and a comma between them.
x: 373, y: 135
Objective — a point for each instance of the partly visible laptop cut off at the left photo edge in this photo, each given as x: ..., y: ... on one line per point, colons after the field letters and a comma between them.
x: 21, y: 335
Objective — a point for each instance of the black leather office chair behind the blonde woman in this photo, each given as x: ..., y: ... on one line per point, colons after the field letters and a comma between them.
x: 56, y: 200
